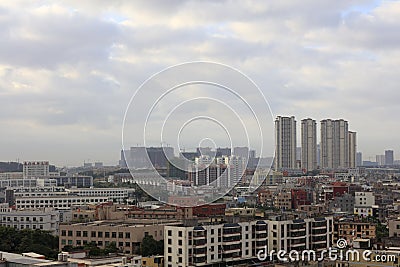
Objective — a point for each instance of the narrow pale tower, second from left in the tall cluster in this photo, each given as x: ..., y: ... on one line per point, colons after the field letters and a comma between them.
x: 309, y: 144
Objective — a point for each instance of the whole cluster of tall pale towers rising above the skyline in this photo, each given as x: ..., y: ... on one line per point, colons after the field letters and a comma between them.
x: 337, y: 150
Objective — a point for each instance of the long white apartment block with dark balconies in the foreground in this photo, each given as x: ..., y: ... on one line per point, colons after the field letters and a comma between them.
x: 233, y: 242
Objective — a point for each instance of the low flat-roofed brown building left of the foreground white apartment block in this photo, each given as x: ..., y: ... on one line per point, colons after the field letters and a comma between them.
x: 126, y: 234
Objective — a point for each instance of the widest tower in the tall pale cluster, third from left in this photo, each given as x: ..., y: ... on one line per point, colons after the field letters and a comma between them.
x: 334, y: 144
